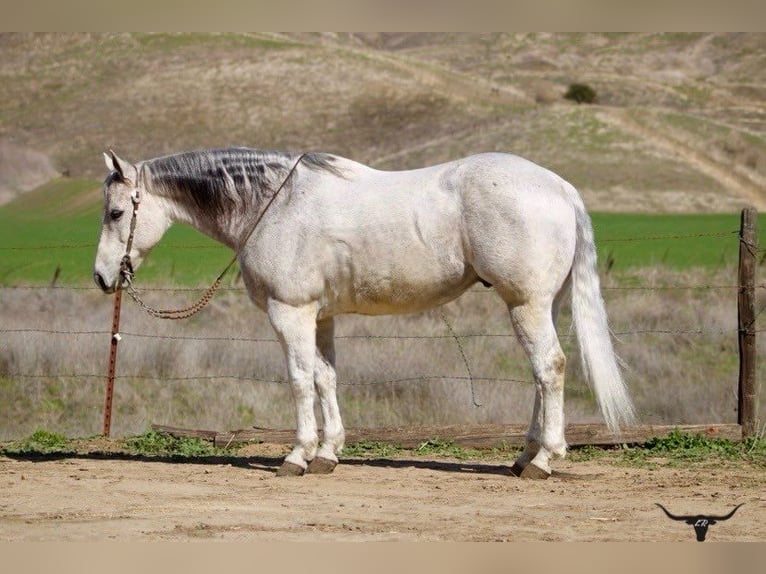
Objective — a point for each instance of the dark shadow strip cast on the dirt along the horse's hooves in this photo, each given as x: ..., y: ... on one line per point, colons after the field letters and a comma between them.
x: 270, y: 464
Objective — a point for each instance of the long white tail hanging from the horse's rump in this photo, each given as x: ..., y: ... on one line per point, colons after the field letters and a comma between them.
x: 593, y: 336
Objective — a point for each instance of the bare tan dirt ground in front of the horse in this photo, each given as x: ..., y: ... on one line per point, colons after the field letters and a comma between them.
x: 100, y: 497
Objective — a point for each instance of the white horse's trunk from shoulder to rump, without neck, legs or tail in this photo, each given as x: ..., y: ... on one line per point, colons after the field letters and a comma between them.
x: 398, y: 241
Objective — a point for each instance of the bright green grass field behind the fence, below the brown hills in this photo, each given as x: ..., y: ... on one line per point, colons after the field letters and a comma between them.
x: 57, y: 226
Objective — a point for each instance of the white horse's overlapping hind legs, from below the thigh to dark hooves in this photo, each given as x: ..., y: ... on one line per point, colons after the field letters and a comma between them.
x: 534, y: 326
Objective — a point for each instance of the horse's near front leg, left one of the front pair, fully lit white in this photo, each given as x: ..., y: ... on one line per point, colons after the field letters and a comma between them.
x: 296, y: 329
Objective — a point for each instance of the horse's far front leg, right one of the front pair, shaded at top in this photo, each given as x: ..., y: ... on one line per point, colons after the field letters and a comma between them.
x: 325, y: 381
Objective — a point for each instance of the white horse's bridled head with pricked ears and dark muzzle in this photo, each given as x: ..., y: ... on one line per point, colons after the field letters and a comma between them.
x: 124, y: 192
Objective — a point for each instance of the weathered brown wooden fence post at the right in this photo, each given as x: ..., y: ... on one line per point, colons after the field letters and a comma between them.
x: 747, y: 415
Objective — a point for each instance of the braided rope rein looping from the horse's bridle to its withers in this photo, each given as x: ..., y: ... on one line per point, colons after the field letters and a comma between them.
x: 126, y: 267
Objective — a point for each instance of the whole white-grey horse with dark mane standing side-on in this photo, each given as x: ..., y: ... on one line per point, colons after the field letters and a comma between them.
x: 317, y: 235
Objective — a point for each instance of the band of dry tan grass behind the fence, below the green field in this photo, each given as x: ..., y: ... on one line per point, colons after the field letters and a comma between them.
x: 686, y: 377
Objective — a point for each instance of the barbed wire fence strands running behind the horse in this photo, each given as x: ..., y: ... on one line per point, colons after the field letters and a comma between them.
x: 749, y: 328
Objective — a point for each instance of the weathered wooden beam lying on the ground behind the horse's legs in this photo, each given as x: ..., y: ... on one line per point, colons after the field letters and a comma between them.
x: 470, y: 436
